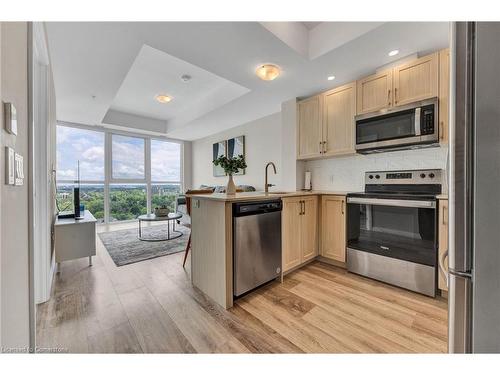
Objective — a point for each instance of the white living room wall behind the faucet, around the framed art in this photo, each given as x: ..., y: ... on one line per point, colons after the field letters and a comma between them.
x: 262, y: 144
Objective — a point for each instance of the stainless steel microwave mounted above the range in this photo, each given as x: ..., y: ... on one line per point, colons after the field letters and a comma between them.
x: 410, y: 126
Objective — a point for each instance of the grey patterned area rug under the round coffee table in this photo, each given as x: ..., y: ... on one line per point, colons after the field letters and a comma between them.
x: 125, y: 248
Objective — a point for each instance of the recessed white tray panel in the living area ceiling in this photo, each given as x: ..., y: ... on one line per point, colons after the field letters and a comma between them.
x: 155, y: 72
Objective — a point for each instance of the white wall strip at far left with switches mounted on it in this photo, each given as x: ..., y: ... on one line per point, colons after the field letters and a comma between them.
x: 14, y: 258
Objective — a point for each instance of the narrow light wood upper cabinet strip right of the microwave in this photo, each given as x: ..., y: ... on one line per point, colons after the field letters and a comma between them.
x: 444, y: 94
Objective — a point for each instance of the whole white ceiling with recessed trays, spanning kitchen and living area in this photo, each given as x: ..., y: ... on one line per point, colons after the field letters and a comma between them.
x: 109, y: 72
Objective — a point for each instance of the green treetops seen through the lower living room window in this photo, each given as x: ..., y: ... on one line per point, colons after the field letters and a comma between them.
x: 126, y: 201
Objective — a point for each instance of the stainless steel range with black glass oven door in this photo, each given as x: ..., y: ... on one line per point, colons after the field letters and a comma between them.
x: 392, y: 229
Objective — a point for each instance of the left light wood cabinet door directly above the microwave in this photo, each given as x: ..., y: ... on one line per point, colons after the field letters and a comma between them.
x: 374, y: 92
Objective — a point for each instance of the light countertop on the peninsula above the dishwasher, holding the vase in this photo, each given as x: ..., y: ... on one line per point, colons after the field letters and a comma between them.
x: 260, y: 195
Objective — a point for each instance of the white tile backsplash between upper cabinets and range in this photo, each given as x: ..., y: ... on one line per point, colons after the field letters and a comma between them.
x: 347, y: 173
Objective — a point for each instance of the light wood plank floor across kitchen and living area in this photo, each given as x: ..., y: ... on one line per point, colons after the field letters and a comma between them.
x: 151, y: 307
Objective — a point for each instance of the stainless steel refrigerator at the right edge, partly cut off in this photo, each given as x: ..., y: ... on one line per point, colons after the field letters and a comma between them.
x: 474, y: 251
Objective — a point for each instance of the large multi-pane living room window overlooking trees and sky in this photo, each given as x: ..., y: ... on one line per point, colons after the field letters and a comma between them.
x: 131, y: 177
